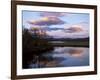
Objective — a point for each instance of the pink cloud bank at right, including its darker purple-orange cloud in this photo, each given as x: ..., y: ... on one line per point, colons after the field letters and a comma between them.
x: 71, y: 31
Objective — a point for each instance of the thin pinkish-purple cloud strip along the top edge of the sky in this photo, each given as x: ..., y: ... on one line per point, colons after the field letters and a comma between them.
x: 56, y: 14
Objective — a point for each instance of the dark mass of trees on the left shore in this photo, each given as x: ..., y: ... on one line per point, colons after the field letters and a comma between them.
x: 33, y: 46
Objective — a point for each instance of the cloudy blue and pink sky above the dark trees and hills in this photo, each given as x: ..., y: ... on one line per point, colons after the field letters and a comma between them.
x: 58, y: 24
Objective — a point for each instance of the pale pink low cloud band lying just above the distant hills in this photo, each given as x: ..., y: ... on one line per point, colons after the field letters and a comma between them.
x: 62, y: 34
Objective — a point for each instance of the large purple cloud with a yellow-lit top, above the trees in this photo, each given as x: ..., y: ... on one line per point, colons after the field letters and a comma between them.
x: 48, y: 21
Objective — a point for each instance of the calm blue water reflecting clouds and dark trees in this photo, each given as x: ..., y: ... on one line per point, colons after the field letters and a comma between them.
x: 62, y: 57
